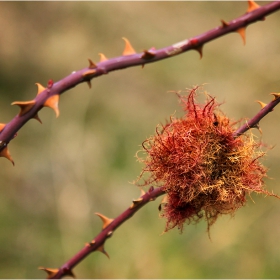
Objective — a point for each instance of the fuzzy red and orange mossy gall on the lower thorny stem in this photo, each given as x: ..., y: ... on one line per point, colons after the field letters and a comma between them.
x: 206, y: 171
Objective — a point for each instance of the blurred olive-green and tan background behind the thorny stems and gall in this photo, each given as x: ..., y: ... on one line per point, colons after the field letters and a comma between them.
x: 83, y: 162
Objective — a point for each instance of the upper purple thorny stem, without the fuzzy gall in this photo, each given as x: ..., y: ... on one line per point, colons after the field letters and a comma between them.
x: 129, y: 59
